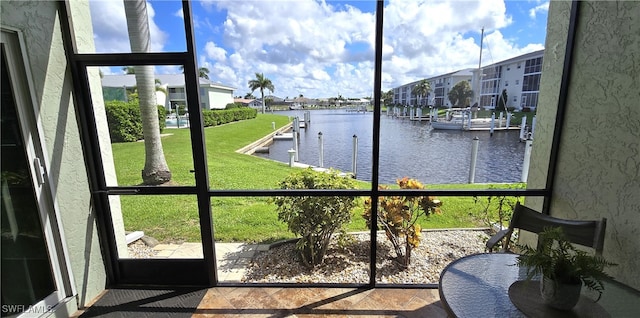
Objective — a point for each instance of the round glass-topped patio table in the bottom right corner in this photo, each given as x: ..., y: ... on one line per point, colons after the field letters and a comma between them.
x: 478, y: 285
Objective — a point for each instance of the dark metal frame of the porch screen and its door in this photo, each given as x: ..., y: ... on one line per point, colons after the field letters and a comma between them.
x: 203, y: 272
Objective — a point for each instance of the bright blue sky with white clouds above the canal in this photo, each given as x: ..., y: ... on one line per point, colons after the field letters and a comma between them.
x: 322, y: 49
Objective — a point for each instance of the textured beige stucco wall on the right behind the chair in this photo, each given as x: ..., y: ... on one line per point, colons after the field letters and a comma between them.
x: 598, y: 173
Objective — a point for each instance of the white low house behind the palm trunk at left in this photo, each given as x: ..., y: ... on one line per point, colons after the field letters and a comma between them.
x: 212, y: 95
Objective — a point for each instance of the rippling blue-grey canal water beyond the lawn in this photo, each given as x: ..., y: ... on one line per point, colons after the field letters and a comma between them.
x: 407, y: 148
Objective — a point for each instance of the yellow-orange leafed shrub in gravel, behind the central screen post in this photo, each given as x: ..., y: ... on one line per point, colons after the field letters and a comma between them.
x: 398, y: 216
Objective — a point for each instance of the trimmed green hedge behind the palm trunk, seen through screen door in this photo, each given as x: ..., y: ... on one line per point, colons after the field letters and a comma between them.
x: 125, y: 123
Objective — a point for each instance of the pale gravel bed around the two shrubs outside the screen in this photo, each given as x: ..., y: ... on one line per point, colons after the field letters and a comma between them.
x: 350, y: 263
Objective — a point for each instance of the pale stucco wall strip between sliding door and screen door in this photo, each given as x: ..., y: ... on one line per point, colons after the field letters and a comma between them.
x: 39, y: 23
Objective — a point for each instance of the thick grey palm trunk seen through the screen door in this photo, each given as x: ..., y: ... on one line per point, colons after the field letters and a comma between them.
x: 156, y: 170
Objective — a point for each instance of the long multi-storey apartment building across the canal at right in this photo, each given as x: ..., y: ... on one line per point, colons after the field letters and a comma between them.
x: 519, y: 76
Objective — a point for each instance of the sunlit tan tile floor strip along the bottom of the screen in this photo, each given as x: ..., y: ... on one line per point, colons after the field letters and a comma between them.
x: 319, y: 302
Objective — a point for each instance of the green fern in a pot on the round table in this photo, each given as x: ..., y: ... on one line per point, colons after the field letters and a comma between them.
x: 562, y: 269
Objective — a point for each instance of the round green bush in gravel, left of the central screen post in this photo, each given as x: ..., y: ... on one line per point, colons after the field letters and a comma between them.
x: 315, y: 218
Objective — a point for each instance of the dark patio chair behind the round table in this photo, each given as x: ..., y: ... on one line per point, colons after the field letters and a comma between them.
x: 586, y: 233
